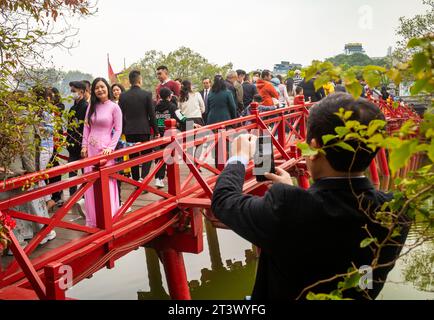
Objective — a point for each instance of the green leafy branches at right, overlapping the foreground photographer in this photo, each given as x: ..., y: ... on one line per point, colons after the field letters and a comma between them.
x: 414, y: 193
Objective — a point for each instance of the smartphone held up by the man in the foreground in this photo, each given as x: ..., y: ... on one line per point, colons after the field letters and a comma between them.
x: 263, y: 158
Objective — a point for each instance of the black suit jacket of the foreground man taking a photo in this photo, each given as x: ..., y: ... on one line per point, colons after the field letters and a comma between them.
x: 305, y: 235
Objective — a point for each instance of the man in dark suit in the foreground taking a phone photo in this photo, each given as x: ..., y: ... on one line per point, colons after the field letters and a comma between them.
x: 311, y: 235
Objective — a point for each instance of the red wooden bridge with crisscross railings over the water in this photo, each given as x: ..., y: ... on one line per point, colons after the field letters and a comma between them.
x: 169, y: 220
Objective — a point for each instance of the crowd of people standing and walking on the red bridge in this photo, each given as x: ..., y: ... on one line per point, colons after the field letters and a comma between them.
x: 109, y: 117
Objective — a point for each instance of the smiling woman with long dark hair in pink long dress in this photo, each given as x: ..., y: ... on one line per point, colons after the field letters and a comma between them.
x: 102, y: 130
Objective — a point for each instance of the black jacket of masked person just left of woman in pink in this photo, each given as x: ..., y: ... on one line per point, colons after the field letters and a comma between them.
x: 75, y: 135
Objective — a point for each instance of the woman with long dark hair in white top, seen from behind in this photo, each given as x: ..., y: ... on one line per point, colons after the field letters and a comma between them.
x: 191, y: 103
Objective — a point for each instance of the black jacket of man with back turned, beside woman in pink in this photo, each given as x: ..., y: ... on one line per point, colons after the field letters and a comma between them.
x: 137, y: 112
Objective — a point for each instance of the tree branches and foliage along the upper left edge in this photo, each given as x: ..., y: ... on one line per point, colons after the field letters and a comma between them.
x: 27, y: 30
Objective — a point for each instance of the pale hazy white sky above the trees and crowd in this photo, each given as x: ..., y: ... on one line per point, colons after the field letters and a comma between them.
x: 249, y: 33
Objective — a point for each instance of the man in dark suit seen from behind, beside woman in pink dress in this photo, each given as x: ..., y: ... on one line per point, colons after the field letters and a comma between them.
x: 138, y: 119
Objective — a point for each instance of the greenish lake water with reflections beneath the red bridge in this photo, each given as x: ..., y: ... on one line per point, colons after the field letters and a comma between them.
x: 140, y: 275
